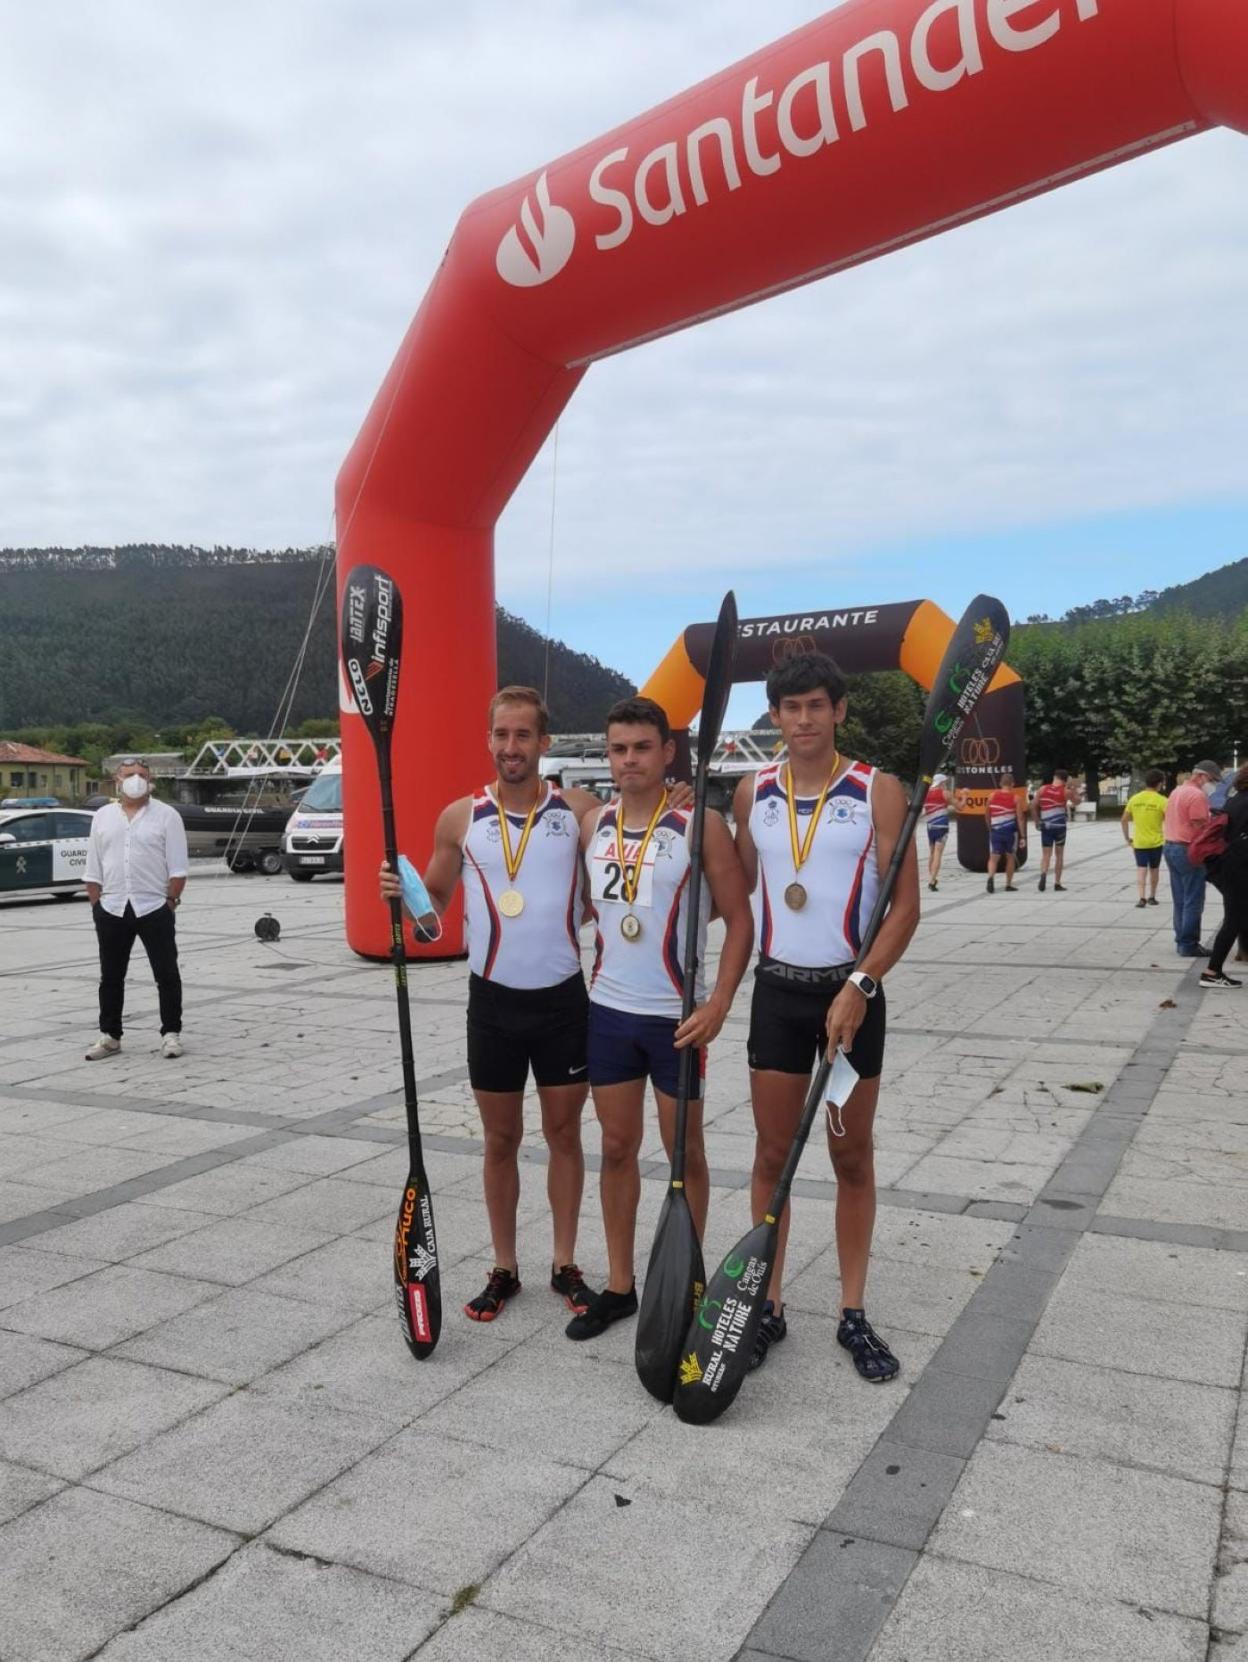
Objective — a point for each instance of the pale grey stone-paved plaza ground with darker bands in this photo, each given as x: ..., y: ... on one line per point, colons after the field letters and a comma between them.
x: 215, y: 1447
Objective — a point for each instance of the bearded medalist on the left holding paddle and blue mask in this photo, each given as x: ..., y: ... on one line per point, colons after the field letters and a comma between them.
x: 516, y: 843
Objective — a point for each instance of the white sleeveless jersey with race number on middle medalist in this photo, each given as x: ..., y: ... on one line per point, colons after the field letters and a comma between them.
x: 644, y: 976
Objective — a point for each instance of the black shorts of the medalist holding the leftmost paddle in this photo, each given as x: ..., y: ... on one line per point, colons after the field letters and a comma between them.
x: 513, y: 1030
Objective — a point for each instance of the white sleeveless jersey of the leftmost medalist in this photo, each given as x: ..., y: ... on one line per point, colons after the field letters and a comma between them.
x: 539, y: 948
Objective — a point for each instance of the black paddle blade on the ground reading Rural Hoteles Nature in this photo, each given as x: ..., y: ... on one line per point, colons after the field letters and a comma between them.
x: 715, y: 1357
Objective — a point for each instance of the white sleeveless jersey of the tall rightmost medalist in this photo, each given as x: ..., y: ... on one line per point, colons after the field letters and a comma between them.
x: 840, y: 877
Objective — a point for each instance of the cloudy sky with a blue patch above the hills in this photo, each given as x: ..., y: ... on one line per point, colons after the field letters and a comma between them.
x: 219, y: 222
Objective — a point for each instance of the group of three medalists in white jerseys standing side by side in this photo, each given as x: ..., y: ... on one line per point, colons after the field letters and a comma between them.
x: 797, y: 878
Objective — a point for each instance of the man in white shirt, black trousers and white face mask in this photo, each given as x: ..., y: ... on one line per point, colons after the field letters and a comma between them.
x: 135, y: 877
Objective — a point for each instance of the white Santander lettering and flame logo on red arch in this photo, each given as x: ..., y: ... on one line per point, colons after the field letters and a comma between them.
x: 818, y: 107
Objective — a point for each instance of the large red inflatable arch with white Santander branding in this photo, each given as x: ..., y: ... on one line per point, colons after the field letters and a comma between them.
x: 877, y: 125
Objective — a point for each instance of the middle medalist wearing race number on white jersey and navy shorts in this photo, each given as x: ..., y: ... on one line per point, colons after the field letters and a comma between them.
x: 639, y: 863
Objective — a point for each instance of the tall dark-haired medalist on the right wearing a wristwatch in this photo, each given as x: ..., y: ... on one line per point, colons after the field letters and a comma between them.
x: 817, y: 835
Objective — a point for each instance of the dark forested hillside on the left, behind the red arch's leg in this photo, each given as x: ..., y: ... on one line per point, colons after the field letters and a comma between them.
x: 175, y: 636
